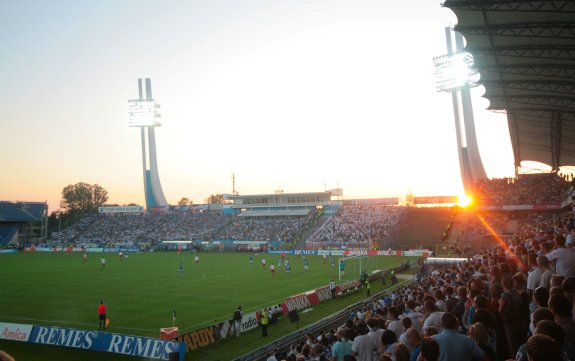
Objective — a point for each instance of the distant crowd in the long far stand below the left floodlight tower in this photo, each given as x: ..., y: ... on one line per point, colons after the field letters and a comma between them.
x: 146, y: 229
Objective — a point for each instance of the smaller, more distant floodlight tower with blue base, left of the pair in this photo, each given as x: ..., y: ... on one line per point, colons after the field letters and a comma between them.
x: 143, y: 113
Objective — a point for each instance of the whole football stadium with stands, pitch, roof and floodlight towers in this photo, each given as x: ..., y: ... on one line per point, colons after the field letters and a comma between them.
x: 316, y: 276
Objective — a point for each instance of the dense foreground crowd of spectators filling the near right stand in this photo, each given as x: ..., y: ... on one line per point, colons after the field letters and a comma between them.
x: 510, y: 301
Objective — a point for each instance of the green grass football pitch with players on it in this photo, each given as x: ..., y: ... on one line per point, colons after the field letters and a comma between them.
x: 141, y: 291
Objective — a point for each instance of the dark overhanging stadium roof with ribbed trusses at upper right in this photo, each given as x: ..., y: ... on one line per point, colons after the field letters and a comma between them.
x: 525, y: 53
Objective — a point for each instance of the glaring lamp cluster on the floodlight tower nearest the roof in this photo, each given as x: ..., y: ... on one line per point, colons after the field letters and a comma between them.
x: 454, y: 71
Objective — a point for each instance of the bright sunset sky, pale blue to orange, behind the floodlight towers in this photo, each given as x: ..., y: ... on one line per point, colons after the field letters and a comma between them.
x: 298, y: 95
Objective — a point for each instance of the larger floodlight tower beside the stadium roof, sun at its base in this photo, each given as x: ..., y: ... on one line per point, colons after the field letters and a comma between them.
x: 454, y: 73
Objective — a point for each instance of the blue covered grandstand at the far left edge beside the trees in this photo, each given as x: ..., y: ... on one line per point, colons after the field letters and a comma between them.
x: 22, y: 223
